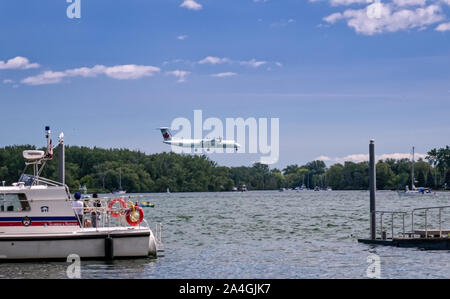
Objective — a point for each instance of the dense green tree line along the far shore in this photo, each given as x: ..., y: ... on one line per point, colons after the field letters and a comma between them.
x: 100, y: 170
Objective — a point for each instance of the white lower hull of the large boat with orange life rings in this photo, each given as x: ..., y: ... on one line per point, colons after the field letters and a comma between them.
x: 86, y: 244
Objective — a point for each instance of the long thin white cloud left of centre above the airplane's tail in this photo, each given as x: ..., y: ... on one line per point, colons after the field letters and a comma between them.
x: 118, y: 72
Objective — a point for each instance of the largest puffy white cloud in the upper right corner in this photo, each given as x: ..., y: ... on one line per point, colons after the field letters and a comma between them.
x: 391, y: 19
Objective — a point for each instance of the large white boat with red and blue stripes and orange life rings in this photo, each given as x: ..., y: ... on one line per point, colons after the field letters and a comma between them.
x: 38, y: 221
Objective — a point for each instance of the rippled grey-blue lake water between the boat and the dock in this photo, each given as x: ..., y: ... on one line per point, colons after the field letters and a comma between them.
x: 264, y: 235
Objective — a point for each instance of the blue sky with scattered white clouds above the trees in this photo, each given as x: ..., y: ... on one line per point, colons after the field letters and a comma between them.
x: 333, y: 76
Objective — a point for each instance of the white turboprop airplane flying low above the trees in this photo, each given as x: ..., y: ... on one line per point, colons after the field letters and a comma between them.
x: 198, y: 143
